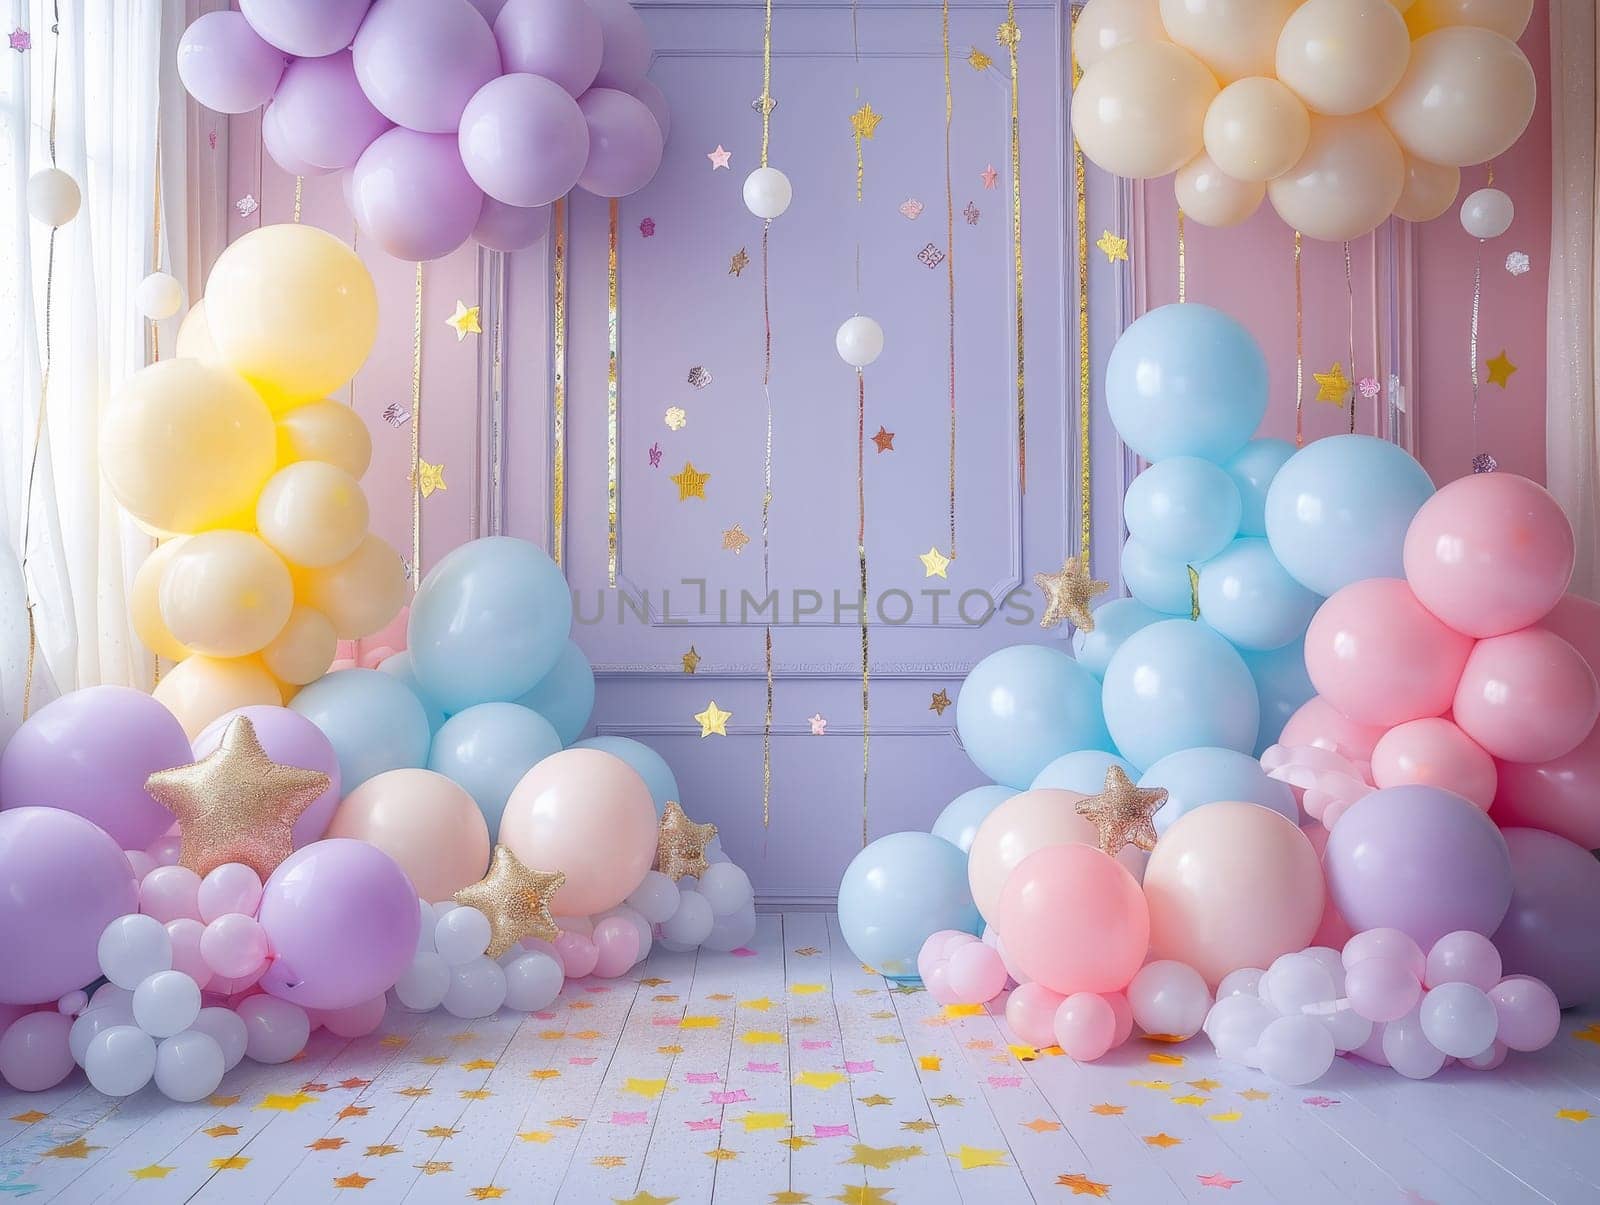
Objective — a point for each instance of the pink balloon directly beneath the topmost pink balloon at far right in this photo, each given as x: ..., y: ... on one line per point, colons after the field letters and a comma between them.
x: 1527, y: 697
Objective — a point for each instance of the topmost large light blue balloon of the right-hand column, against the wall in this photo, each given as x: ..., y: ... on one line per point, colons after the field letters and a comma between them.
x: 1186, y: 382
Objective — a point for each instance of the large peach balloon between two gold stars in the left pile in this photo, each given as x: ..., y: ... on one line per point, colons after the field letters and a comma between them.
x: 588, y: 815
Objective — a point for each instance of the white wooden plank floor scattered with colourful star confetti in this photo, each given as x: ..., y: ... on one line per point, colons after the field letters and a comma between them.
x: 790, y: 1075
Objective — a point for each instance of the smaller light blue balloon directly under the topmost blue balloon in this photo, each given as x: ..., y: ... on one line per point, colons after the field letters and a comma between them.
x: 1183, y: 510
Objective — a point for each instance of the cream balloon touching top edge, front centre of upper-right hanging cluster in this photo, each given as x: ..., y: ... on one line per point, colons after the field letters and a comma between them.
x: 1343, y: 57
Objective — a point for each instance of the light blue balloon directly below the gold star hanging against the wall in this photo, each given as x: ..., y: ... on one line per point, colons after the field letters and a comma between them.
x: 1023, y: 708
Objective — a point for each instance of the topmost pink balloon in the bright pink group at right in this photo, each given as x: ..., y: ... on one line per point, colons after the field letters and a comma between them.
x: 1490, y: 553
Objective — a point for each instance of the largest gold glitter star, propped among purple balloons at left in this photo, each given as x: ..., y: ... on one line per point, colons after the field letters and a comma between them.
x: 236, y: 804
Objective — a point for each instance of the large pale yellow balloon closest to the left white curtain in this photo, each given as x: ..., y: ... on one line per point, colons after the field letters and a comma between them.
x: 186, y: 446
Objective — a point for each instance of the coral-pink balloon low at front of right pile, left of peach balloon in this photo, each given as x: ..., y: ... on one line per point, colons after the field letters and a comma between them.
x: 1076, y: 921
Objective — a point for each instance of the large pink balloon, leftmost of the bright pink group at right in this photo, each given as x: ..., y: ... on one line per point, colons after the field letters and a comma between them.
x: 1380, y: 657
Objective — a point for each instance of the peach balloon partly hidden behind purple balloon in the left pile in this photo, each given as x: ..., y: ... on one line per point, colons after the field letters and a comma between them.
x: 426, y: 823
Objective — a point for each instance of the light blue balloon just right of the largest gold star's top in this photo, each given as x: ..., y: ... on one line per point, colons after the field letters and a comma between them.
x: 372, y: 719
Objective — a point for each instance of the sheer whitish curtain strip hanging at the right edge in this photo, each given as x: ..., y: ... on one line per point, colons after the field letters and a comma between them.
x: 1572, y: 434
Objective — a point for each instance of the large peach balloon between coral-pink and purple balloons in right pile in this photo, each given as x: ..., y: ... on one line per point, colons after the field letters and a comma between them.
x: 1233, y: 886
